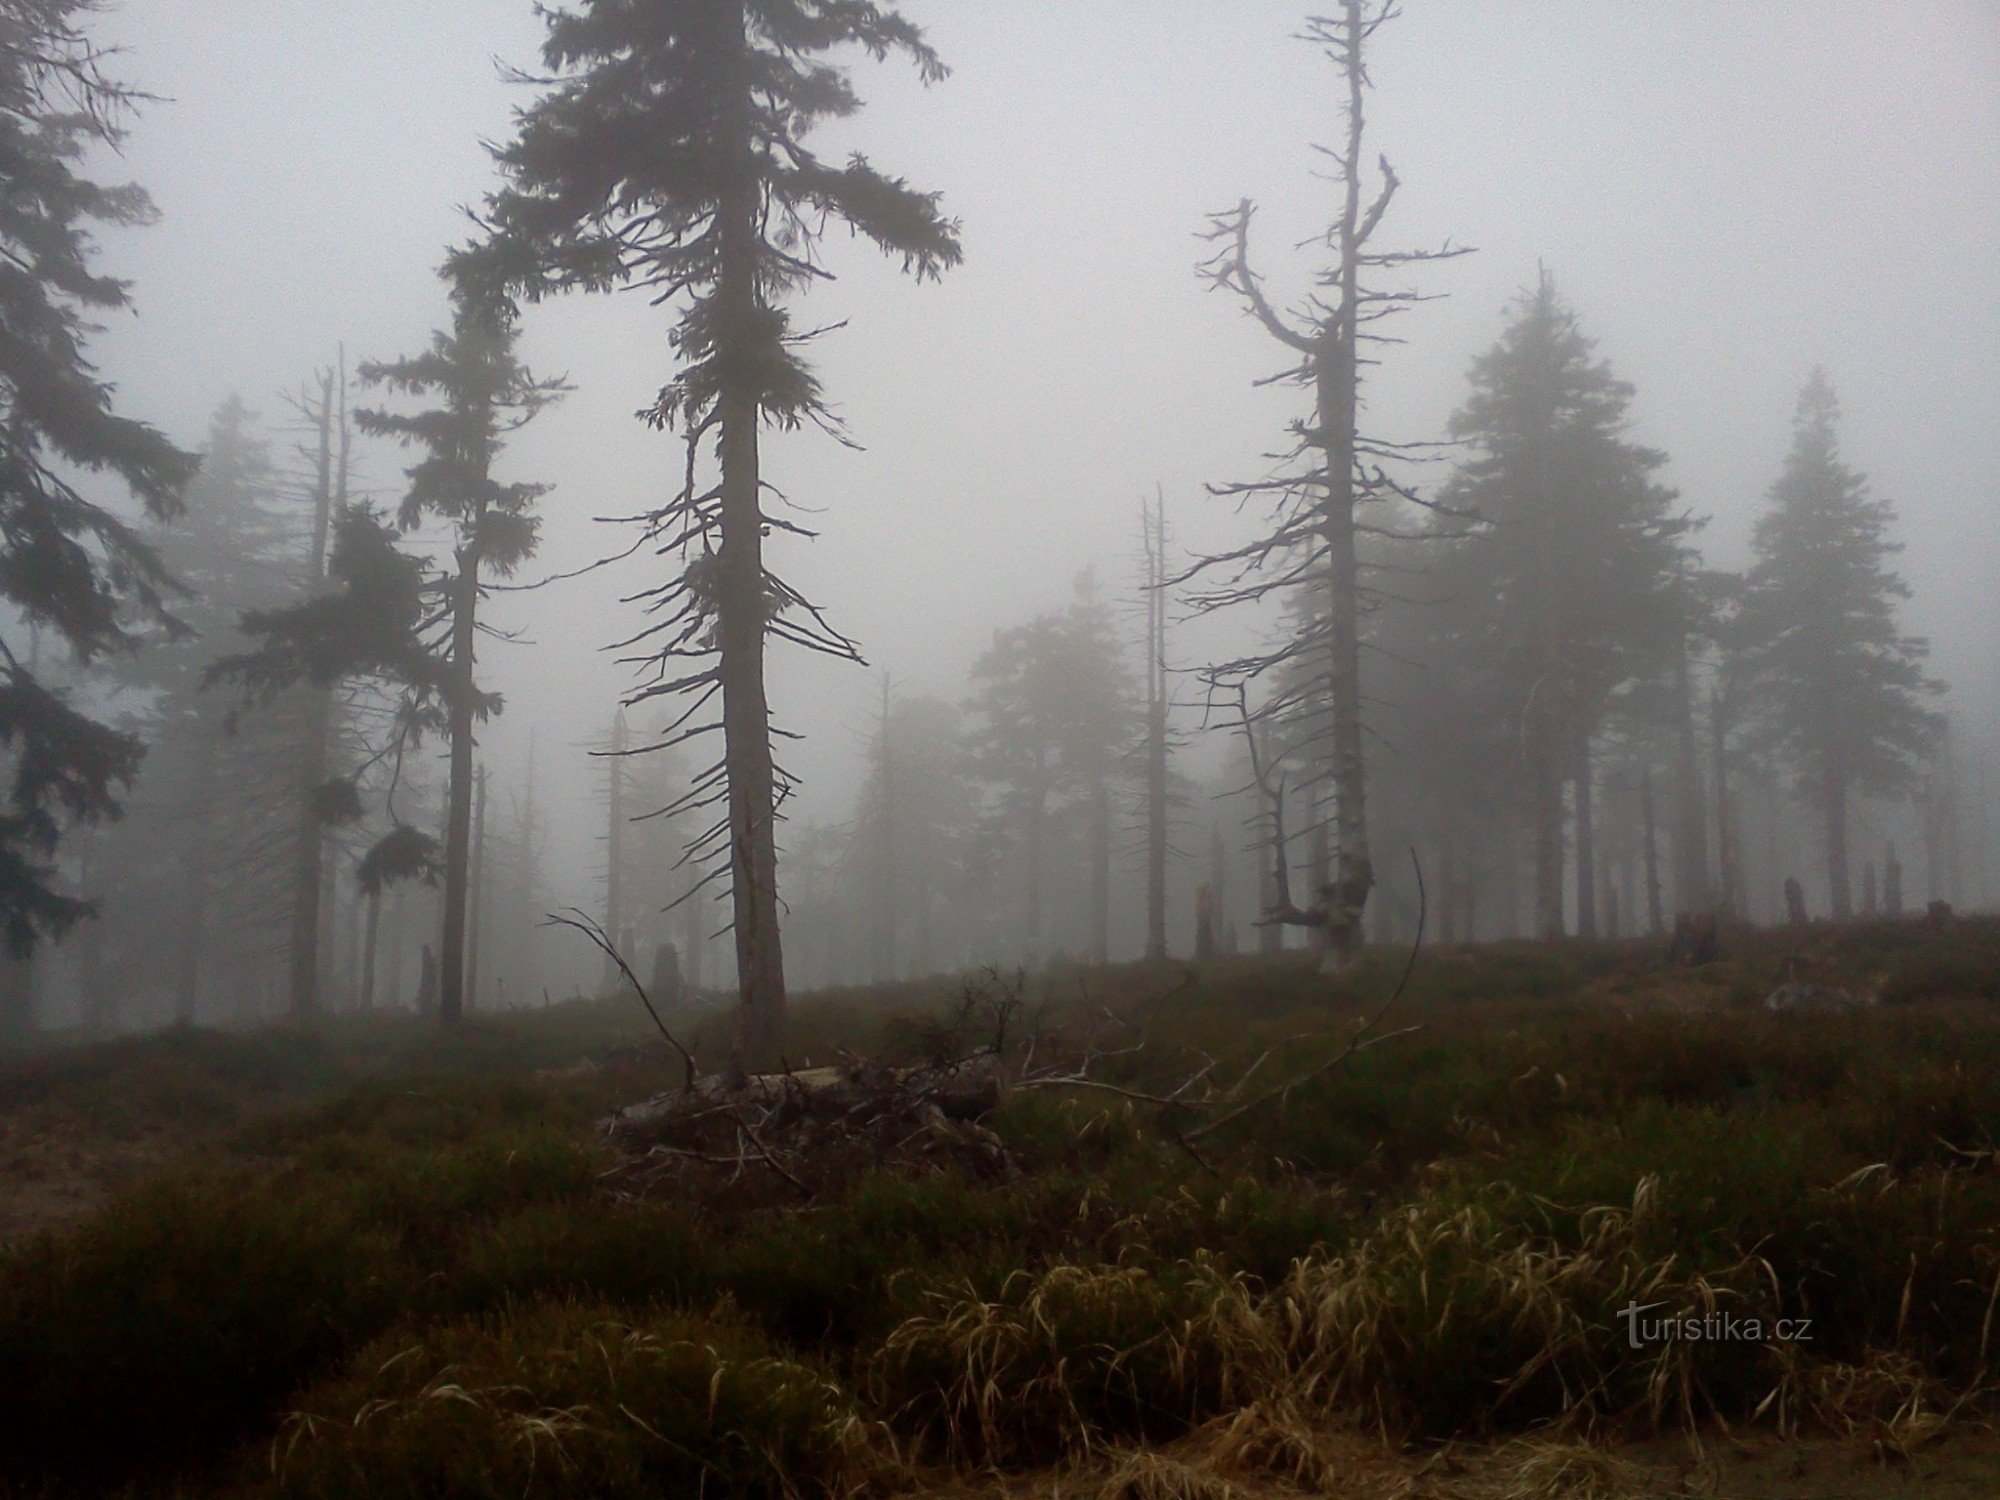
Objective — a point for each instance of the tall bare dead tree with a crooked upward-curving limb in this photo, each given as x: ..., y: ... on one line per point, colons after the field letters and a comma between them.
x: 1309, y: 555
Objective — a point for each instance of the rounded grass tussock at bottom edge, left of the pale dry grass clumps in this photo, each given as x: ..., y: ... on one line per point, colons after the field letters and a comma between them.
x: 575, y: 1399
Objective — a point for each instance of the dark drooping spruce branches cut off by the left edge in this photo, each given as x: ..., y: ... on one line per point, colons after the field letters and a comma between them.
x: 69, y: 565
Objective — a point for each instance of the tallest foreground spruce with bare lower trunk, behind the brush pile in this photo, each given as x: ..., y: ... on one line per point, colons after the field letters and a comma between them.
x: 669, y: 155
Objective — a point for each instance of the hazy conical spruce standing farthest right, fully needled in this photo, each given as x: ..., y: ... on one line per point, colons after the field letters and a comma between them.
x: 1839, y: 687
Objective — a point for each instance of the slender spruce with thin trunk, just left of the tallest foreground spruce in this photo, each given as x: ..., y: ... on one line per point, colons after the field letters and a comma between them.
x: 485, y: 393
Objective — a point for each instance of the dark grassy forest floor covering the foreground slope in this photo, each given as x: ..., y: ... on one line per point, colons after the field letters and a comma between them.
x: 1233, y: 1231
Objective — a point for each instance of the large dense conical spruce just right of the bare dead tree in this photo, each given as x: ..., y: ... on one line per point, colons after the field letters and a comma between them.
x: 1577, y: 565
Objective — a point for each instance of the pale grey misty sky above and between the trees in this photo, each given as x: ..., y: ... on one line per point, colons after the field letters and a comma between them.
x: 1727, y: 193
